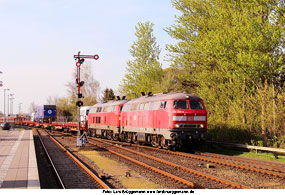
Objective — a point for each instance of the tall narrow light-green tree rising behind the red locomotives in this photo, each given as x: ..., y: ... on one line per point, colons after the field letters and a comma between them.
x: 144, y: 70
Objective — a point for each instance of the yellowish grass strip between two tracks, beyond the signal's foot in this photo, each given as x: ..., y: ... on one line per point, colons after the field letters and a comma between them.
x: 118, y: 170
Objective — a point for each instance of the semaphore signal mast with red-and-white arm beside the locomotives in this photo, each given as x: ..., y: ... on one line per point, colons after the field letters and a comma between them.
x: 79, y: 61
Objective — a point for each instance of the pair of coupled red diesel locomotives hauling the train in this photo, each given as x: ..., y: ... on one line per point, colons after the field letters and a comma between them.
x: 169, y: 120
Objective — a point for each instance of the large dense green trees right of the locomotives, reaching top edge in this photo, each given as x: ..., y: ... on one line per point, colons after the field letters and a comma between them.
x: 232, y: 53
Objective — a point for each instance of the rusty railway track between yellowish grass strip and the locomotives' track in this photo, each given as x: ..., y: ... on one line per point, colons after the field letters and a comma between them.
x: 163, y: 168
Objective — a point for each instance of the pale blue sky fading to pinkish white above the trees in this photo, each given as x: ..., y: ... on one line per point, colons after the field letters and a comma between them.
x: 39, y: 38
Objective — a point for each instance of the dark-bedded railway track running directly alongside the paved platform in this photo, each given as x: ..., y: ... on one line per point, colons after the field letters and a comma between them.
x: 69, y: 171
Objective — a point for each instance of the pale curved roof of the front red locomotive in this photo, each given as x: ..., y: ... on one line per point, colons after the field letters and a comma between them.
x: 162, y: 96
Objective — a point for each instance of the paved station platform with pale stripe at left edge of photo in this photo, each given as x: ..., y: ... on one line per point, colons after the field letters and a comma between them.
x: 18, y: 163
